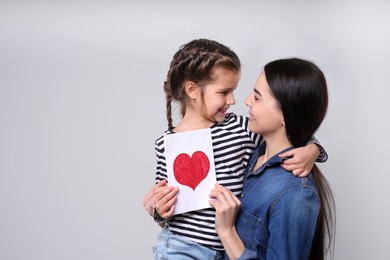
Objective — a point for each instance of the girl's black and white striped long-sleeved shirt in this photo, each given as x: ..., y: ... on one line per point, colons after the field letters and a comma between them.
x: 233, y: 144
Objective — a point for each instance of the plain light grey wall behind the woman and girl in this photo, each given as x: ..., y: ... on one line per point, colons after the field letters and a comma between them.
x: 81, y: 104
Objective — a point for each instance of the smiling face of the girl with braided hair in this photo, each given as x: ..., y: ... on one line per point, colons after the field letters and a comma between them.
x: 218, y: 96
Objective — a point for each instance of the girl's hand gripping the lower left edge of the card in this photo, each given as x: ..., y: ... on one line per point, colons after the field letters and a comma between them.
x: 163, y: 197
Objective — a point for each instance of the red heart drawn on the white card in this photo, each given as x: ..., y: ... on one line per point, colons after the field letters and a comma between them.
x: 190, y: 171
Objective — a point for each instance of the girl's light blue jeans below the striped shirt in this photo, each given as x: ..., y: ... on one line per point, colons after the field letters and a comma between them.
x: 172, y: 246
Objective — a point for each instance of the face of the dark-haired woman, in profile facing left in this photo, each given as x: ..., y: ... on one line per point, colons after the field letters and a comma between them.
x: 266, y: 116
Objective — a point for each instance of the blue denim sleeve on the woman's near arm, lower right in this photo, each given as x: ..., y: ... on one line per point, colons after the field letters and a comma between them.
x: 292, y: 225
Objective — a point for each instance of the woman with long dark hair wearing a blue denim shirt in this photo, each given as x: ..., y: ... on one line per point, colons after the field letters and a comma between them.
x: 278, y: 215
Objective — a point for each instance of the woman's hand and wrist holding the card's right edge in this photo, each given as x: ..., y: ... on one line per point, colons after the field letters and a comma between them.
x: 226, y: 206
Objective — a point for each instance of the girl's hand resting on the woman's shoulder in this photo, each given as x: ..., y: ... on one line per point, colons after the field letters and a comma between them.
x: 300, y: 160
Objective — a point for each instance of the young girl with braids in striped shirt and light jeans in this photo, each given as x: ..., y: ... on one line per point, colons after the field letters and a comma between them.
x: 202, y: 78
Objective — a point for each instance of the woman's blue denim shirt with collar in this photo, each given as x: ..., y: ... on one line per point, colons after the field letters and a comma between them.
x: 279, y: 212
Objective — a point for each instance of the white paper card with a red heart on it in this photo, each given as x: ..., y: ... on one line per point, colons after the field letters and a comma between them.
x: 190, y: 167
